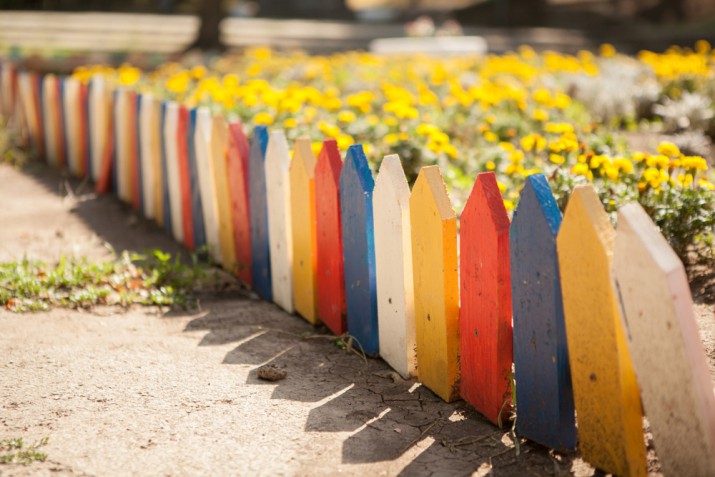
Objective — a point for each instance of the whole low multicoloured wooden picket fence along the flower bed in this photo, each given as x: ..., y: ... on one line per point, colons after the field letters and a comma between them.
x: 552, y: 316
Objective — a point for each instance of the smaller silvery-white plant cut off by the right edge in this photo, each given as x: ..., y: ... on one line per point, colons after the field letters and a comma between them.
x: 692, y: 111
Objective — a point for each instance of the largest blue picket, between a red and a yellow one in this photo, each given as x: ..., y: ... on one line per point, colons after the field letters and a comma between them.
x: 542, y: 372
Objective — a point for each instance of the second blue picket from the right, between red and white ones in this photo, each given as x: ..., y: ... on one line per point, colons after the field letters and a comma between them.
x: 356, y: 185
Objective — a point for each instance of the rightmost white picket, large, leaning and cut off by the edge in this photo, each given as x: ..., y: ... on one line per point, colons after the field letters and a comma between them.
x: 665, y: 345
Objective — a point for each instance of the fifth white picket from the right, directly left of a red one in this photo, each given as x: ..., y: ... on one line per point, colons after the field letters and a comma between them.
x: 173, y: 170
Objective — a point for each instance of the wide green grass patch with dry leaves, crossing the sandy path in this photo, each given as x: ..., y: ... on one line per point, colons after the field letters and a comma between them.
x: 151, y: 278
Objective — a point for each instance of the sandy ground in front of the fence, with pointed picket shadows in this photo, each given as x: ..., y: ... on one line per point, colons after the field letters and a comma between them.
x: 152, y: 392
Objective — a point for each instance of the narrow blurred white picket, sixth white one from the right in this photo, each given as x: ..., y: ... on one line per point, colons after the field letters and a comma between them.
x: 147, y: 119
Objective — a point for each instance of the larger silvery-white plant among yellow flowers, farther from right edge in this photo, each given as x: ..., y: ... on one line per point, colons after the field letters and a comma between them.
x: 623, y: 89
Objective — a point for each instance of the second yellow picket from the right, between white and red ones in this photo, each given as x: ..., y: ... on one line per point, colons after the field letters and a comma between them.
x: 436, y: 285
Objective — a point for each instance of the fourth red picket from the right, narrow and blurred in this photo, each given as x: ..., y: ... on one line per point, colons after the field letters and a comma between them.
x: 181, y: 139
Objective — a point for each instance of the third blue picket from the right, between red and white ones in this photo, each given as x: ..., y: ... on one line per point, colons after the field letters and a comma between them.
x: 260, y: 240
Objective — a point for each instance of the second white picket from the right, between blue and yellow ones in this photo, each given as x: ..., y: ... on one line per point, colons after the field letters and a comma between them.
x: 393, y: 267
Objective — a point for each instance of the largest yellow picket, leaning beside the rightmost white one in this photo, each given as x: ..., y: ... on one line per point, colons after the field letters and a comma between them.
x: 604, y: 383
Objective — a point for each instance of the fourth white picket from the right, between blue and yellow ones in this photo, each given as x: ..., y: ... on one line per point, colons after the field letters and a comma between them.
x: 205, y: 180
